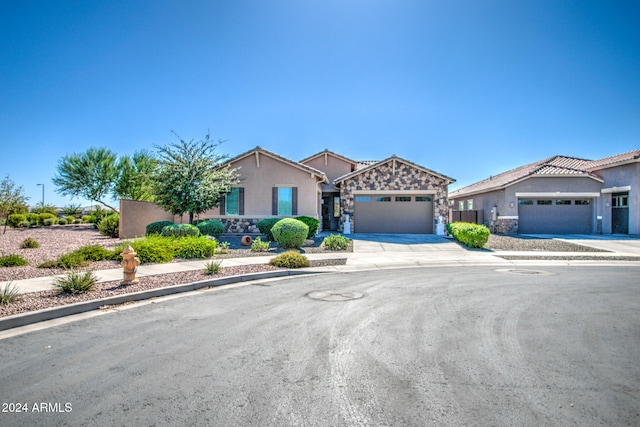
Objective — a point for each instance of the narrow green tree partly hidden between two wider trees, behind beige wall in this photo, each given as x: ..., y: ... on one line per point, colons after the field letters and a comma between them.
x: 136, y: 173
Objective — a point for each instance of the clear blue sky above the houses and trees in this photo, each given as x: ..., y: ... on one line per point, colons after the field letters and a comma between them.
x: 467, y: 88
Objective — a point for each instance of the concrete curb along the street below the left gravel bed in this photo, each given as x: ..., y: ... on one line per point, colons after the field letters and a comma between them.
x: 24, y: 319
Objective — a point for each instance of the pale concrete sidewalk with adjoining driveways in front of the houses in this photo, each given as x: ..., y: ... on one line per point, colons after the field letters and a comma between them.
x: 378, y: 251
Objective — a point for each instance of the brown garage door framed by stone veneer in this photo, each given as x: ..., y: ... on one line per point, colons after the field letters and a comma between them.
x: 396, y: 213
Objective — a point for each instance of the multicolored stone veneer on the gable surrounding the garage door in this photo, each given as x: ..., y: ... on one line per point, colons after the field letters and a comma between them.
x: 383, y: 178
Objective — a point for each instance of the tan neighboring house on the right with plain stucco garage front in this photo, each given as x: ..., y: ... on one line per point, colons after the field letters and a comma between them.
x: 559, y: 195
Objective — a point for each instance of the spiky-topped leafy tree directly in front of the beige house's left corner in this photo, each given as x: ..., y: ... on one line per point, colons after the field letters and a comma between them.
x: 191, y: 177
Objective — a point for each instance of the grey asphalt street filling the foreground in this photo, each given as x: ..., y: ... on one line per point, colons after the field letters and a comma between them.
x: 552, y: 345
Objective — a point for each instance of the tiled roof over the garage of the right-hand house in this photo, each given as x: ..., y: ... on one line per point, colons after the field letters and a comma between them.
x: 553, y: 166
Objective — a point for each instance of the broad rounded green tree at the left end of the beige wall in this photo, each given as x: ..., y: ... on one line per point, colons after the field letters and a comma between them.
x: 91, y: 175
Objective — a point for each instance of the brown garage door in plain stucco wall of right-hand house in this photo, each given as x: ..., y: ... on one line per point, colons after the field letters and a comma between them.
x: 555, y: 216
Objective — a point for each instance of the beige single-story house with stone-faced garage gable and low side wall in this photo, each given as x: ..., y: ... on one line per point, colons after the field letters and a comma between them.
x: 389, y: 196
